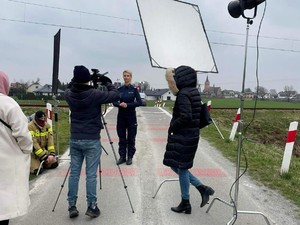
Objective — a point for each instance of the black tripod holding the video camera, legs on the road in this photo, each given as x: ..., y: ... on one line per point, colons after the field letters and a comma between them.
x: 100, y: 171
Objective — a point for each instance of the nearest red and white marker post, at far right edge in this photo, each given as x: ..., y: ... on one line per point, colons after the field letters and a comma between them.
x: 290, y: 140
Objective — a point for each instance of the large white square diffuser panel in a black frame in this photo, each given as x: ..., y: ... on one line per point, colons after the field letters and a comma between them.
x: 175, y: 35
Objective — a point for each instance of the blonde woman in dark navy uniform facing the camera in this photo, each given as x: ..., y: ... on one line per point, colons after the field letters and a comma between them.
x: 126, y: 120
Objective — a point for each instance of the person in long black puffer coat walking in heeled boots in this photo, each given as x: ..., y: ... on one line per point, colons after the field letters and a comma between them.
x: 183, y: 134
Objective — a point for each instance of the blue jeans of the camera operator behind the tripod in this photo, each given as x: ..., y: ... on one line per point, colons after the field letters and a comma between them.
x: 90, y: 150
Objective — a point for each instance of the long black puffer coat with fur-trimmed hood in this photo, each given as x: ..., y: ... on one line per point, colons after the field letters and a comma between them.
x: 183, y: 133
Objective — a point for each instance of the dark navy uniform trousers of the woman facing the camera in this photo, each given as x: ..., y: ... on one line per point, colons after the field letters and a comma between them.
x: 127, y: 130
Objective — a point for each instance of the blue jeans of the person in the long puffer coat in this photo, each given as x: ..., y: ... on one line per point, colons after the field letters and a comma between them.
x: 185, y: 178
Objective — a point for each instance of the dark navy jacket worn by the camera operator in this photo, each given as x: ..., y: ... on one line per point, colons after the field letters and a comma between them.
x: 85, y: 105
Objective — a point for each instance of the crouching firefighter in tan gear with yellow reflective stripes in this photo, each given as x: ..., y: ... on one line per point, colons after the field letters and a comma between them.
x: 43, y: 145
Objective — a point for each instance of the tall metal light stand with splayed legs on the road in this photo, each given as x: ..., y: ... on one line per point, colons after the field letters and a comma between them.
x: 234, y: 202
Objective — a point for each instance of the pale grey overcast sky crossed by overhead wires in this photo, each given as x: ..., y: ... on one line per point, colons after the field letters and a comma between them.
x: 108, y: 35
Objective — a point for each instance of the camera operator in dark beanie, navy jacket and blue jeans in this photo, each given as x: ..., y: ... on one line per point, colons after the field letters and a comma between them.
x: 85, y: 105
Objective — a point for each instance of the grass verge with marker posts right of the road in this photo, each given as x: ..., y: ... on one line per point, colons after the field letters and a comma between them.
x: 263, y: 146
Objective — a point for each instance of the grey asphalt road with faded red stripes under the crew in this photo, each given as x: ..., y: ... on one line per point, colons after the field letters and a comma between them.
x: 131, y: 200
